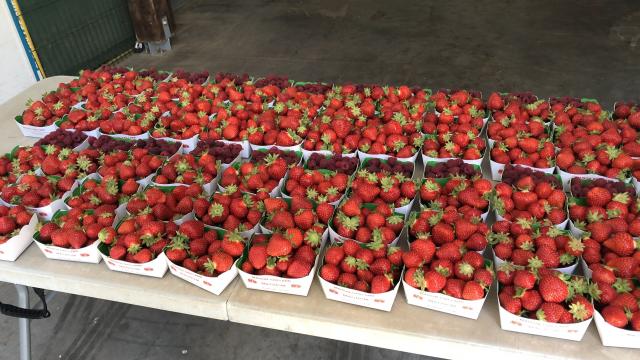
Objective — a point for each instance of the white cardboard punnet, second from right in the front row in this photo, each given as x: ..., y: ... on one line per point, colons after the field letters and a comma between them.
x: 511, y: 322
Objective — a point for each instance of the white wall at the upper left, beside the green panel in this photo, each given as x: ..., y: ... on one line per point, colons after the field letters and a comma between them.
x: 15, y: 70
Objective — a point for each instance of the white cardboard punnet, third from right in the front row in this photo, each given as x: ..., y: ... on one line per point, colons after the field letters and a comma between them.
x: 443, y: 303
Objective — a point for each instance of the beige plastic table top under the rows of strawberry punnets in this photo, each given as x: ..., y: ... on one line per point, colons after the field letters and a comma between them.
x: 406, y: 328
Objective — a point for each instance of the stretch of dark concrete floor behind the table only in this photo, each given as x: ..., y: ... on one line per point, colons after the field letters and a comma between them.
x: 582, y: 48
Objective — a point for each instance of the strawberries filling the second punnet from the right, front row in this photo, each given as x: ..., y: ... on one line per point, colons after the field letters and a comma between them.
x: 545, y: 295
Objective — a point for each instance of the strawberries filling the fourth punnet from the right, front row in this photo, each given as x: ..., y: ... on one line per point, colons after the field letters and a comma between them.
x: 372, y: 268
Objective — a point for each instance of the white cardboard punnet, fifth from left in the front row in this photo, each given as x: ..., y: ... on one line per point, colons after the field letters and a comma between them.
x: 277, y: 284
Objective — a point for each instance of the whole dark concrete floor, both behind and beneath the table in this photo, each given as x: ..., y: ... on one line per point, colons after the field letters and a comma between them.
x: 579, y: 48
